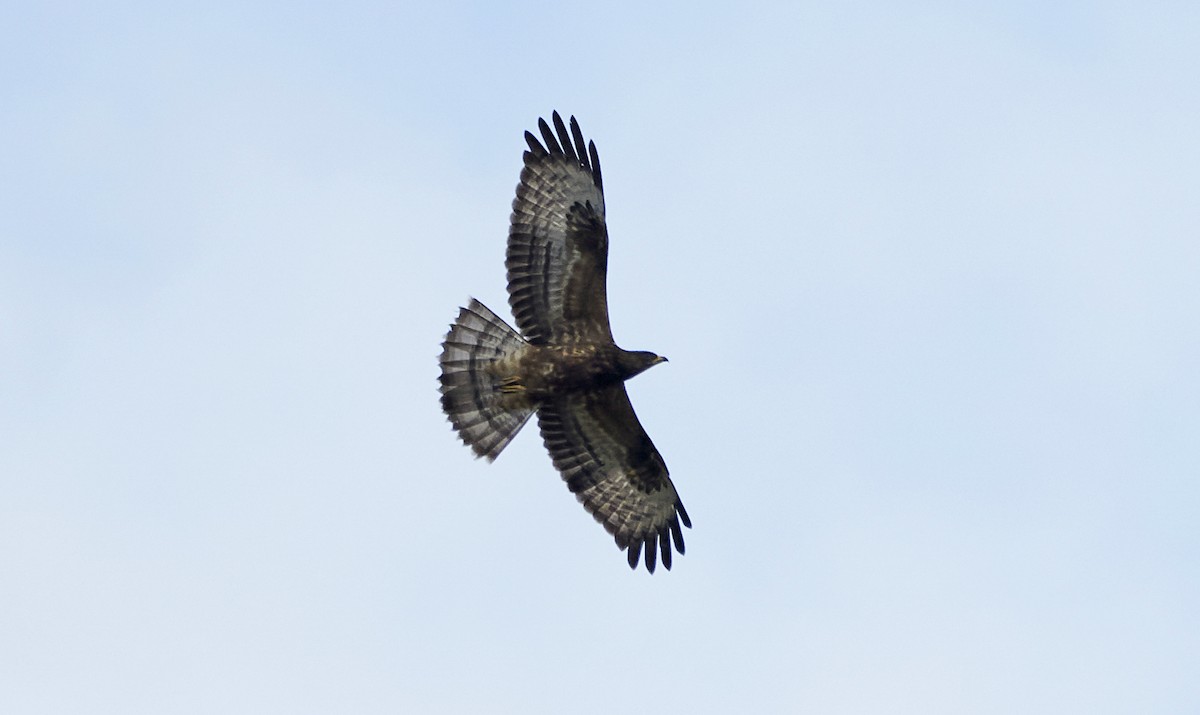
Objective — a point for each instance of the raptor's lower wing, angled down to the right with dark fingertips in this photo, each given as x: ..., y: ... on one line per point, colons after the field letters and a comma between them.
x: 613, y: 468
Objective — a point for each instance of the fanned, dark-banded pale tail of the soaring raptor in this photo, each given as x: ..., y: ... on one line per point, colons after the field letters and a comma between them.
x: 485, y: 418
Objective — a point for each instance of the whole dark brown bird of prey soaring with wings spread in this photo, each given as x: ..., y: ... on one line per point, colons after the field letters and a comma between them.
x: 563, y: 366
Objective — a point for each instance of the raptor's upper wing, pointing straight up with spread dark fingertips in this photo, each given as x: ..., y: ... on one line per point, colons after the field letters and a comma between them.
x: 559, y: 244
